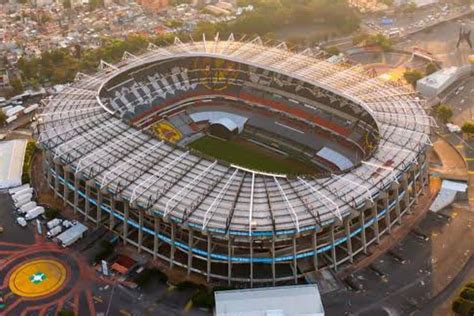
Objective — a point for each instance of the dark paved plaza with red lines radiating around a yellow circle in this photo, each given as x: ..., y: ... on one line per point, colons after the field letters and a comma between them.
x: 39, y: 277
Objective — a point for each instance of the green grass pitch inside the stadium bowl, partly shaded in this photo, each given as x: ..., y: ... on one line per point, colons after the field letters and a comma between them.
x: 249, y: 155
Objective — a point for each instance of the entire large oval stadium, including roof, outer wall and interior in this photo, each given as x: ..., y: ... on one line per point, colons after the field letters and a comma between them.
x: 242, y: 162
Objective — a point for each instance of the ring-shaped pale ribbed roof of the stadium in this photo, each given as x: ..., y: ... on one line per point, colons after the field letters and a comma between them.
x: 82, y: 132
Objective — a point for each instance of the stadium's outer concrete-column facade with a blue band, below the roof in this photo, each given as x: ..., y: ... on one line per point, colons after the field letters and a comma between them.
x: 243, y: 259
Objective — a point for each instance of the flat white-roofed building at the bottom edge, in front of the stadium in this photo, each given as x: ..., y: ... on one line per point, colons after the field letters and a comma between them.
x: 298, y: 300
